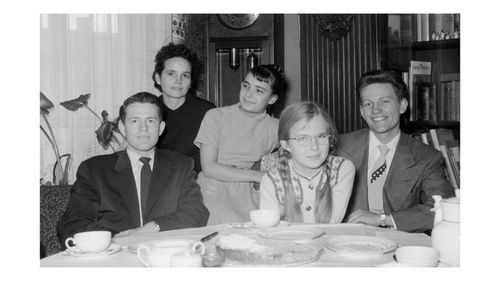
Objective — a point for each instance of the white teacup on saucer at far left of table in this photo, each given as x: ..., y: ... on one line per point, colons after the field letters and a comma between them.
x: 89, y: 241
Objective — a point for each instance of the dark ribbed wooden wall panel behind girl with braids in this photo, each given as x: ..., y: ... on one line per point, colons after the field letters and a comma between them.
x: 330, y: 69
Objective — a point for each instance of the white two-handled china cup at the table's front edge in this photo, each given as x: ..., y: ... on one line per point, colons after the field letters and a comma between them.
x: 161, y: 254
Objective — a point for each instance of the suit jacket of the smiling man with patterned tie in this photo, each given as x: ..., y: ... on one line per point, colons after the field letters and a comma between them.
x: 416, y: 173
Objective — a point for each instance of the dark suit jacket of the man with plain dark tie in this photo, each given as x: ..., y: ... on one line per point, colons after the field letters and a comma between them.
x: 104, y: 195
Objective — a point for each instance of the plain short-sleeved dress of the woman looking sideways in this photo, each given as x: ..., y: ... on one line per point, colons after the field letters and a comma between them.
x: 241, y: 140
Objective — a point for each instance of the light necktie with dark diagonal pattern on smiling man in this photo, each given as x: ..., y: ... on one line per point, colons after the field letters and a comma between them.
x: 377, y: 180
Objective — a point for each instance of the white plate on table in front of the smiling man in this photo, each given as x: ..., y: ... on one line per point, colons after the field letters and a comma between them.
x: 361, y: 245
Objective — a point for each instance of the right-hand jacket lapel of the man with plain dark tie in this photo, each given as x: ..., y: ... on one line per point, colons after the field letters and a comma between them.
x: 160, y: 178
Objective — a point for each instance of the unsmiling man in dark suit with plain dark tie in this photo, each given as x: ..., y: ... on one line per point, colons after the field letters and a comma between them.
x: 138, y: 190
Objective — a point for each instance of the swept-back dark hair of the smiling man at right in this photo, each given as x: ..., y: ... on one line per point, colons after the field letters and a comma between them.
x: 392, y: 77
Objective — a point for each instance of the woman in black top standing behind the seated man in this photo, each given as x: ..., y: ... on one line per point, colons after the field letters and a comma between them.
x: 176, y: 75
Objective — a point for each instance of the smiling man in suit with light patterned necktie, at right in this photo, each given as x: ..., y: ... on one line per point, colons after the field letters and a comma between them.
x: 396, y: 176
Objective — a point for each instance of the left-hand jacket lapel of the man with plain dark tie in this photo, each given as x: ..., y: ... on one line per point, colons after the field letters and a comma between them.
x: 126, y: 183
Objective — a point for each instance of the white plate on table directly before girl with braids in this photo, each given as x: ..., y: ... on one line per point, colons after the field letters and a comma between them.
x: 291, y: 233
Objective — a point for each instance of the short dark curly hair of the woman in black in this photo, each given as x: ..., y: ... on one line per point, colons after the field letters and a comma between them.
x: 178, y: 51
